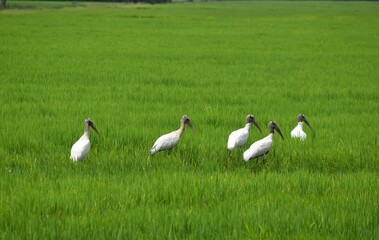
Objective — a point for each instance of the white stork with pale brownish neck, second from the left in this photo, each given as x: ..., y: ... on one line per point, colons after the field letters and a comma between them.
x: 170, y: 140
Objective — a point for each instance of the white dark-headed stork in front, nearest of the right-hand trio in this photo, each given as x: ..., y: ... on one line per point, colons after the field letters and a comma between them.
x: 263, y: 146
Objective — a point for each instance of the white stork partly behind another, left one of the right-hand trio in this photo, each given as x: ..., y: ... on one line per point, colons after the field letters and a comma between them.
x: 239, y: 137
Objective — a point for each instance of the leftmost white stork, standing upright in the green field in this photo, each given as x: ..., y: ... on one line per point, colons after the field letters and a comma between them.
x: 81, y: 148
